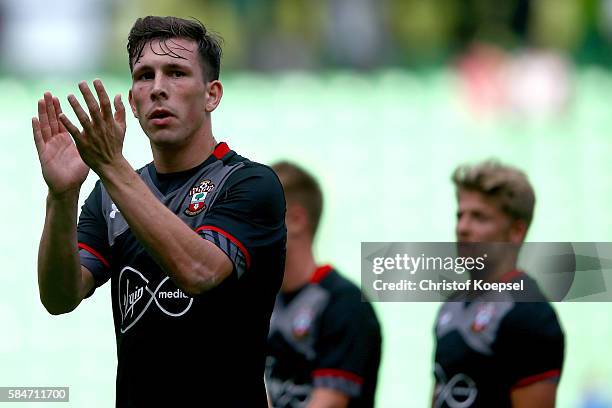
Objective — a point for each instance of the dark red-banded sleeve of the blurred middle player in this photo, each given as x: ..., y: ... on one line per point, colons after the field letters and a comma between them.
x: 349, y: 345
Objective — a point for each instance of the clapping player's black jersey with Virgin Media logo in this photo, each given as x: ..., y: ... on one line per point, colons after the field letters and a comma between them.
x: 193, y: 351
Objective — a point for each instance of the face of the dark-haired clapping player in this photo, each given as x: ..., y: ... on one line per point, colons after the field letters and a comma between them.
x: 169, y: 95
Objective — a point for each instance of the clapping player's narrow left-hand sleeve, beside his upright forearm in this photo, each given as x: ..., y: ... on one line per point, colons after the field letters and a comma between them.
x: 94, y: 250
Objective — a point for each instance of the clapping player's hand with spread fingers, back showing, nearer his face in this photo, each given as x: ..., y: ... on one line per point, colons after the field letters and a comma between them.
x: 100, y: 143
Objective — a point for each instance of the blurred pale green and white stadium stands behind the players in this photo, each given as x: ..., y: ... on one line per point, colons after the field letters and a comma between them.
x: 381, y: 99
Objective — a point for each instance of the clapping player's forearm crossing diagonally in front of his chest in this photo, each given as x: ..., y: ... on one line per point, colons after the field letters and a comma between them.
x: 181, y: 252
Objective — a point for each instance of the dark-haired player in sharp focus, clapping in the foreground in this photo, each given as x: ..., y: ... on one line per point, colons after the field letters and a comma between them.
x: 193, y: 243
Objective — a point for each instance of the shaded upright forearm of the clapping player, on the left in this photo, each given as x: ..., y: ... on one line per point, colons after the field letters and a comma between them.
x: 59, y: 271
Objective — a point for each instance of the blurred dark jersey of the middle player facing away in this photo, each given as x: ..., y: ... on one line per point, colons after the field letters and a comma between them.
x: 323, y: 335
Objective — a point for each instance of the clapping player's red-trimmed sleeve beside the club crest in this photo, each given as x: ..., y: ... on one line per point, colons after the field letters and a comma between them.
x: 248, y: 215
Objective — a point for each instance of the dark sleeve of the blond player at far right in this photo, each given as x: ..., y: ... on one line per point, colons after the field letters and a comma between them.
x: 532, y: 343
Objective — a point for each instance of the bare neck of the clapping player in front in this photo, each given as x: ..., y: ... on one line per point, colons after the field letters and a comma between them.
x: 184, y: 157
